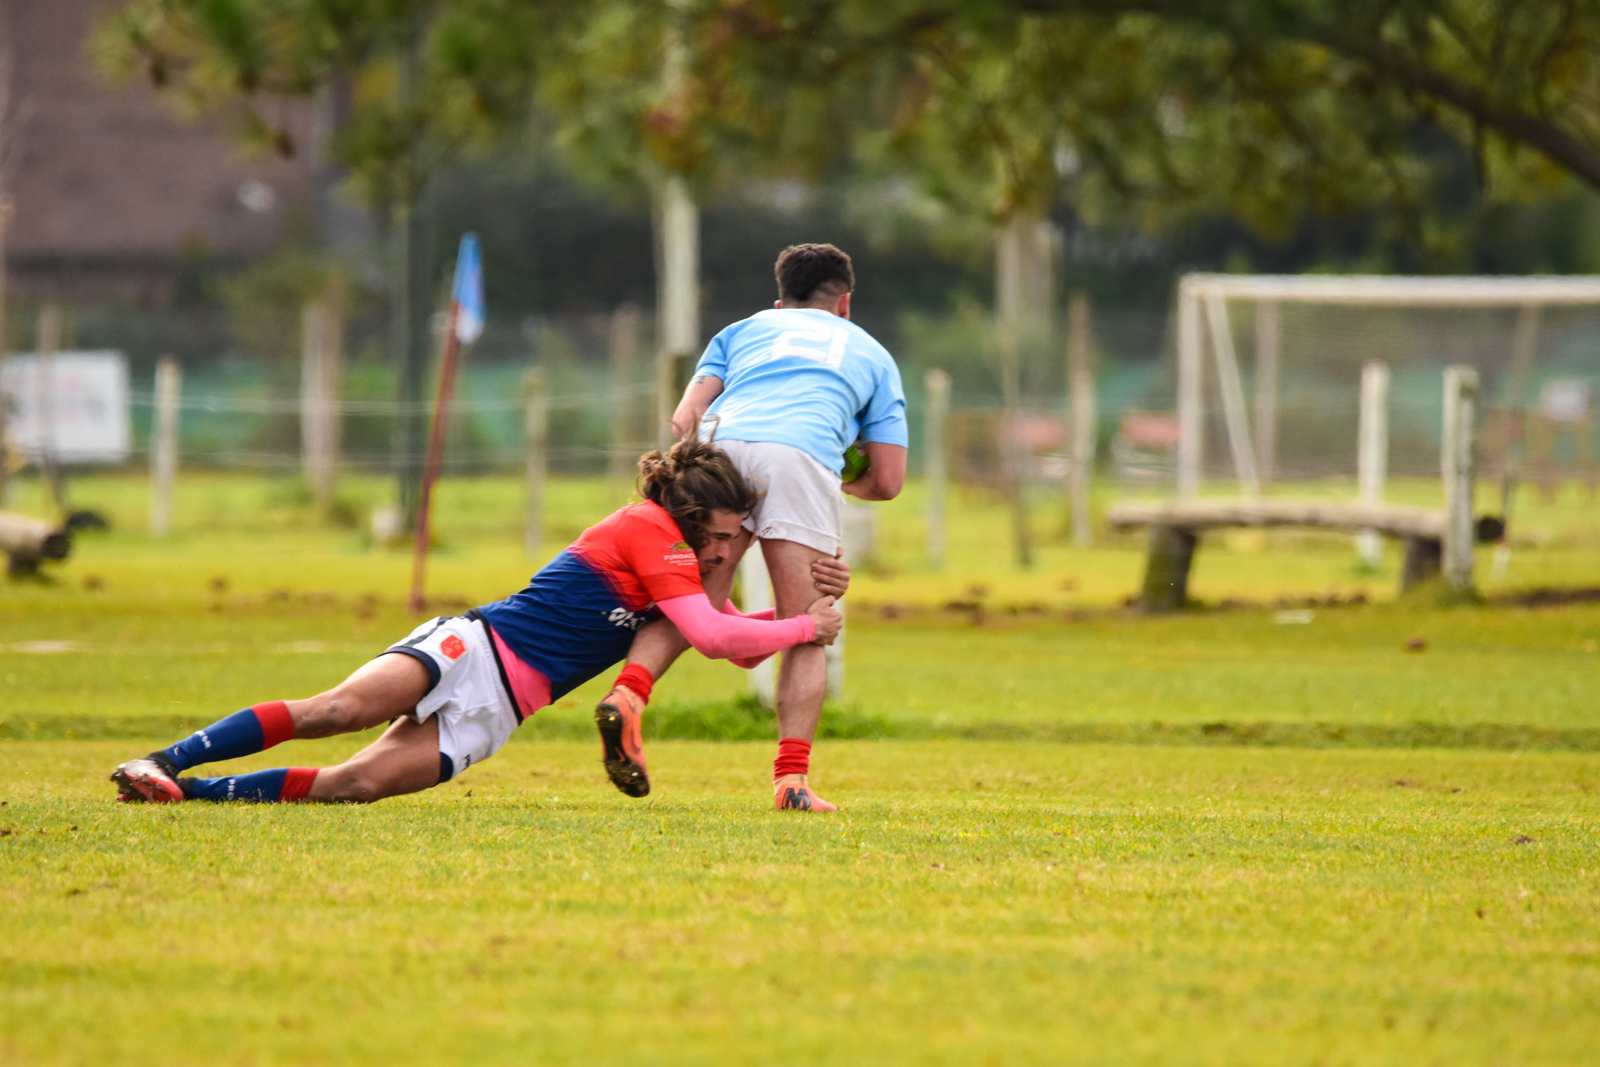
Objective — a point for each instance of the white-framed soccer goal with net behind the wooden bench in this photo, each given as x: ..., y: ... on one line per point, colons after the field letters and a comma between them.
x: 1300, y: 378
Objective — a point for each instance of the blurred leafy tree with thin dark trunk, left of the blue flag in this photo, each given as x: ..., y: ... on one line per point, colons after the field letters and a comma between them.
x: 417, y: 82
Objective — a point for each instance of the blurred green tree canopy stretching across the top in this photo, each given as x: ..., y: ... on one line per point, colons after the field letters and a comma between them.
x: 1134, y: 110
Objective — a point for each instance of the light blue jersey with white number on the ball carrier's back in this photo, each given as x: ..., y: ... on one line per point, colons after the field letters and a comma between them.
x: 806, y: 378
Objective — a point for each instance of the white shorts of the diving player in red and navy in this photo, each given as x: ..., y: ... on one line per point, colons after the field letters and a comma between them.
x: 471, y: 695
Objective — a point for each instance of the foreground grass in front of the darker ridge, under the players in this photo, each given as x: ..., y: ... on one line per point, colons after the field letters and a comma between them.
x: 972, y: 903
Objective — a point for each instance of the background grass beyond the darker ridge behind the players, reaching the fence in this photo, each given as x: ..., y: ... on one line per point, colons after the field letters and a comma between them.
x: 254, y: 601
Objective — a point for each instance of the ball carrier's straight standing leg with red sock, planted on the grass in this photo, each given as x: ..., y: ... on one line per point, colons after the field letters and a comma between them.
x: 802, y: 677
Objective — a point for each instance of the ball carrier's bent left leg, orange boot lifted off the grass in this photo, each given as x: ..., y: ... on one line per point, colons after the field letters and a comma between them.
x: 655, y: 649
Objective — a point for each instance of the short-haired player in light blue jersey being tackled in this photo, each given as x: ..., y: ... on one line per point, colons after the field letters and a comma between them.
x: 785, y: 394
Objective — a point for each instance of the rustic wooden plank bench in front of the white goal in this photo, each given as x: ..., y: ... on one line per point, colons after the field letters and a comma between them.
x: 1177, y: 527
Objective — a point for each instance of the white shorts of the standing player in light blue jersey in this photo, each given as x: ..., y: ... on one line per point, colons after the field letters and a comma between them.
x: 801, y: 498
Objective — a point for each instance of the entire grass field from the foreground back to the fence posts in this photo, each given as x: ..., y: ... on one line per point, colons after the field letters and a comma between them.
x: 1308, y: 844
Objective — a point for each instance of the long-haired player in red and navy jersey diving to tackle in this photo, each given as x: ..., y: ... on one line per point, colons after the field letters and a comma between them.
x: 458, y: 687
